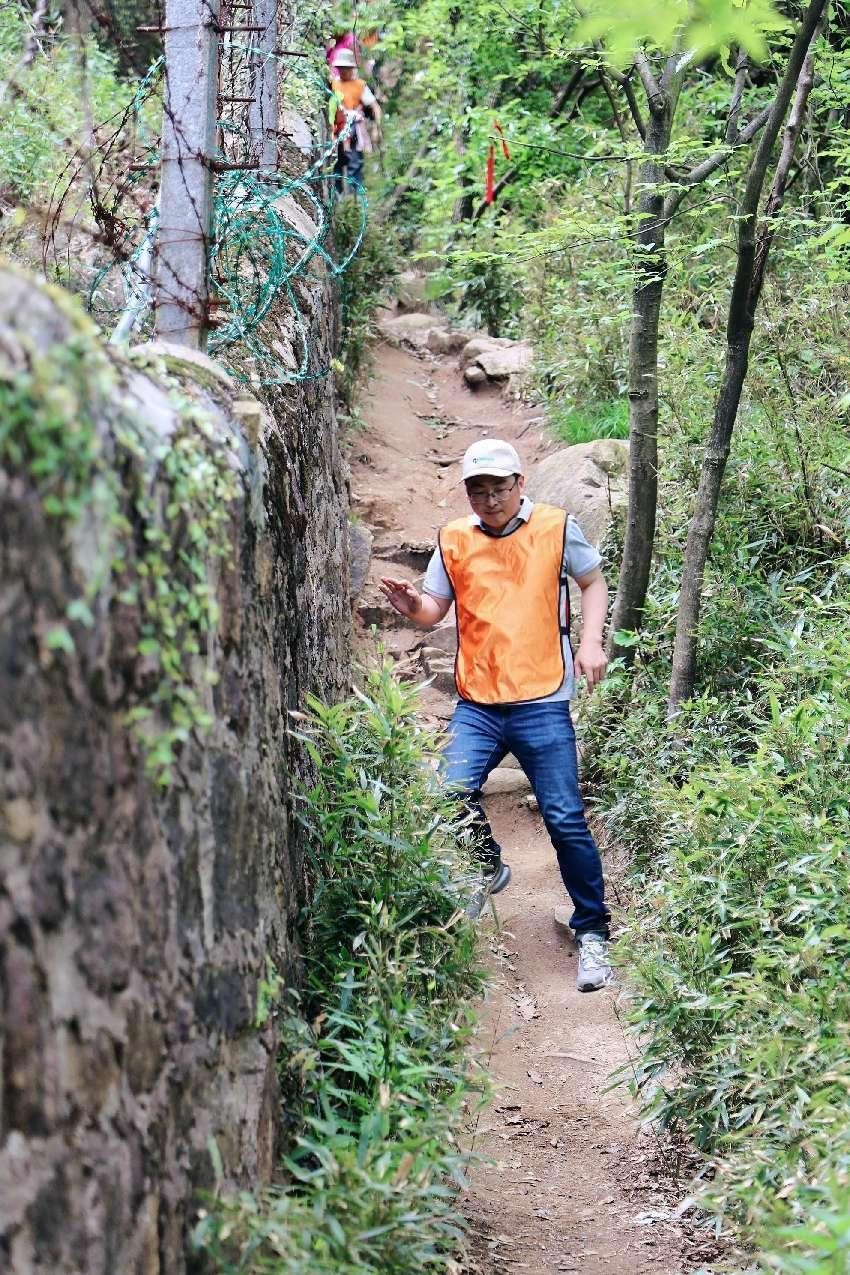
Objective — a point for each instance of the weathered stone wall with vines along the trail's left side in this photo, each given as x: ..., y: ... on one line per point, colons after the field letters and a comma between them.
x: 137, y: 916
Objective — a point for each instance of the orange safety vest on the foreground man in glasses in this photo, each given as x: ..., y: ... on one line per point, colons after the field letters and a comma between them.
x: 510, y: 597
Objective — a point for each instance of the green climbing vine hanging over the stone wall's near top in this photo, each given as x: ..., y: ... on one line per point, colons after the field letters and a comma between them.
x: 165, y: 504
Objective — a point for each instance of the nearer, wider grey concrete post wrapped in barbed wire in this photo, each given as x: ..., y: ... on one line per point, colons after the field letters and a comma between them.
x: 187, y: 184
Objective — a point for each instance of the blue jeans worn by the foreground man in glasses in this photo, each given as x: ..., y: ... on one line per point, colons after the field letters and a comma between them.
x: 544, y: 741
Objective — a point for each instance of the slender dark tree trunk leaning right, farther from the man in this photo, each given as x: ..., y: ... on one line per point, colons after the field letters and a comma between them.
x: 750, y: 276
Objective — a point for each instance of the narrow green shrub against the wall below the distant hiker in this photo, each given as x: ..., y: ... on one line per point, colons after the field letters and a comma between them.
x: 364, y: 286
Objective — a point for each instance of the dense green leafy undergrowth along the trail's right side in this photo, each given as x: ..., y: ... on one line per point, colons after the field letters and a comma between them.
x: 737, y: 819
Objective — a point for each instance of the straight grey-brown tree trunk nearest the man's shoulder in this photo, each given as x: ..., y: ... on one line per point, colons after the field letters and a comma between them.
x: 651, y: 270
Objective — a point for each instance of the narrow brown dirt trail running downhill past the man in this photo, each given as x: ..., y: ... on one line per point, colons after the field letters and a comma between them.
x: 568, y: 1180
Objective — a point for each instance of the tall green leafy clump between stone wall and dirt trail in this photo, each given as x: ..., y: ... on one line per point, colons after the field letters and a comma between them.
x: 374, y: 1058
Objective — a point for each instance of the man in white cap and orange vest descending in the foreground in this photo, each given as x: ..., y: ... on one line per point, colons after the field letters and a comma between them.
x: 507, y: 568
